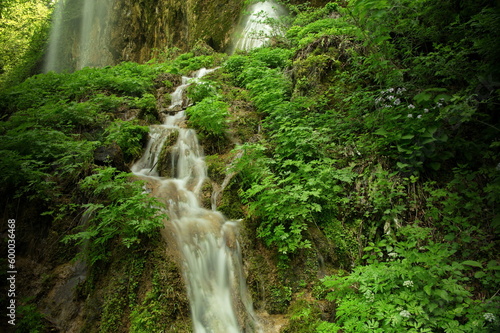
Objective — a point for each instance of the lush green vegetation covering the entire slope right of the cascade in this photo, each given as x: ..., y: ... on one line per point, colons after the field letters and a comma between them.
x: 374, y: 119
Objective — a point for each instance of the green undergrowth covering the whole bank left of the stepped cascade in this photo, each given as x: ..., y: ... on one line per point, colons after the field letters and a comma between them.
x: 67, y: 141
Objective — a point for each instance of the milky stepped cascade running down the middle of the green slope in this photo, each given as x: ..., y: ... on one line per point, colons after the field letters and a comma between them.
x: 207, y: 243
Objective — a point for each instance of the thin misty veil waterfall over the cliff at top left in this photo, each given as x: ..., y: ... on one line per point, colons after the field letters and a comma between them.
x: 80, y: 35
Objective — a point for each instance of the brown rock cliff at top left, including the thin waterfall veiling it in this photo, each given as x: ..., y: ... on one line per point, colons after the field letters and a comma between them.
x: 126, y: 30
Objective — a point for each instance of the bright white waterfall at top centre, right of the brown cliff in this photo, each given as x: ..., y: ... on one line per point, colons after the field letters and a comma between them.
x: 255, y: 28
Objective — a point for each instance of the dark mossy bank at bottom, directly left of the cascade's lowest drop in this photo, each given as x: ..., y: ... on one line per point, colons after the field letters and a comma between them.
x: 141, y: 291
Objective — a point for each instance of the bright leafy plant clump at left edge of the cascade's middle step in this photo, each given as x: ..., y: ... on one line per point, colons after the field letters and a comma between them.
x: 118, y: 208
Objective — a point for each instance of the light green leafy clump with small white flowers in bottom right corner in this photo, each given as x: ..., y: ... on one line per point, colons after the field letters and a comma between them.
x: 411, y: 285
